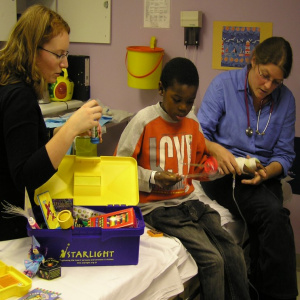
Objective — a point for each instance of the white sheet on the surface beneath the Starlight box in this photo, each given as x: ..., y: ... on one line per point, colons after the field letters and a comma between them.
x: 164, y: 265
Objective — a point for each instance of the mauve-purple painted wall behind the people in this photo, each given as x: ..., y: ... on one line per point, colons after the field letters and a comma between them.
x: 109, y: 75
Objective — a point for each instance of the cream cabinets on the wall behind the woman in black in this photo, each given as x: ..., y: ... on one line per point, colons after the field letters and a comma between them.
x: 90, y: 20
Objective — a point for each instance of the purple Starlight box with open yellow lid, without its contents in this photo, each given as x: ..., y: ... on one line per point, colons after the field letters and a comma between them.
x: 105, y: 184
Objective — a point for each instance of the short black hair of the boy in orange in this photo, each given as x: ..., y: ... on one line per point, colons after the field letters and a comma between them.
x: 180, y: 70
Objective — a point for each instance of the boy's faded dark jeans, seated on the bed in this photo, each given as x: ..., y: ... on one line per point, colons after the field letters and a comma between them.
x: 221, y: 266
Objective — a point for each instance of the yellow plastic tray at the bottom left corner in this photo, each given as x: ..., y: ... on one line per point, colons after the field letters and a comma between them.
x: 12, y: 282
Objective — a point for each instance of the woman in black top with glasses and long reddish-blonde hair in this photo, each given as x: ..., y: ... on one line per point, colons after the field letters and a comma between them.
x: 34, y: 56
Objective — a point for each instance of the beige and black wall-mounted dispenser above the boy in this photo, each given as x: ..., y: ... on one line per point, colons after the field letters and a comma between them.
x: 192, y: 22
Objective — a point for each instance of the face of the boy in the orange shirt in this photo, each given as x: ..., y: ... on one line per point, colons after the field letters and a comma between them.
x: 178, y: 100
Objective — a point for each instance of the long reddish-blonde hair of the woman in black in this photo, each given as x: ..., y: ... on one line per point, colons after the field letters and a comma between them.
x: 37, y: 26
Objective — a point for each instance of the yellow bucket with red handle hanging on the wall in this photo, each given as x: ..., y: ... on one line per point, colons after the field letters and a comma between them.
x: 144, y: 65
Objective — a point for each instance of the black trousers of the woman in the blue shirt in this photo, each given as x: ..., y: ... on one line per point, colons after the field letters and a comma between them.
x: 272, y: 248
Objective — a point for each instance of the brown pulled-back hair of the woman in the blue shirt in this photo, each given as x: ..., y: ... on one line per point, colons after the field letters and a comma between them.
x: 277, y: 51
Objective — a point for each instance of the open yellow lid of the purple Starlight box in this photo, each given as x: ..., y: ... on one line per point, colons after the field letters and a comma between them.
x: 94, y: 181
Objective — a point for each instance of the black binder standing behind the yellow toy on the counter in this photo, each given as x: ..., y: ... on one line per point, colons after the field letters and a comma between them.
x: 79, y: 73
